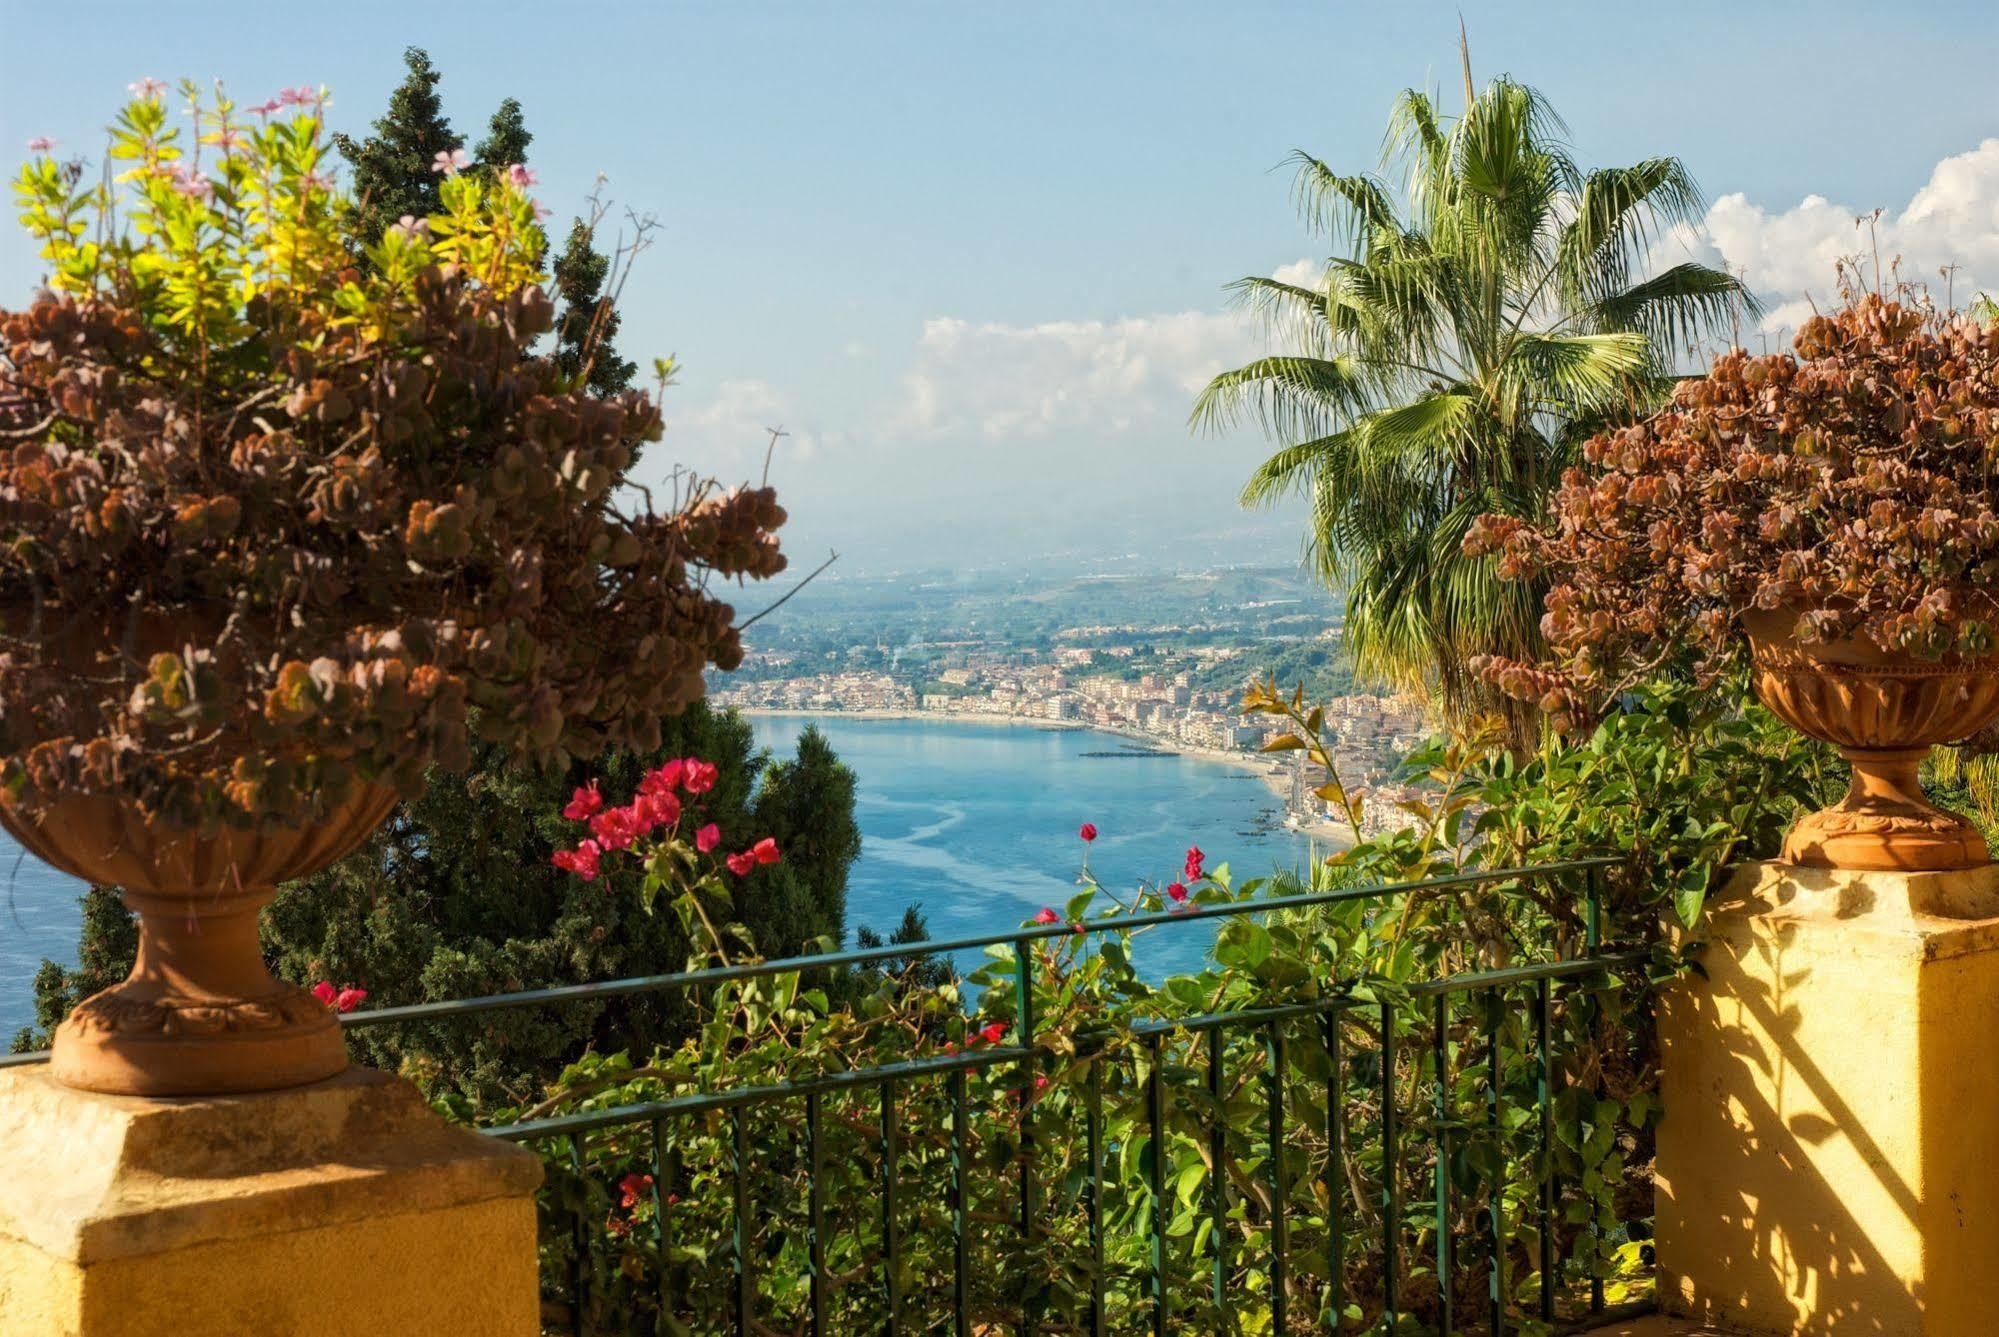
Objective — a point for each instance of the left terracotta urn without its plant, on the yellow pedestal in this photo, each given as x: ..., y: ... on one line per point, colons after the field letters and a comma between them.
x: 201, y: 1014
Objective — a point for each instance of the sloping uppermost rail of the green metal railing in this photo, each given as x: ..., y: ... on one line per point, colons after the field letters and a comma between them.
x: 1034, y: 932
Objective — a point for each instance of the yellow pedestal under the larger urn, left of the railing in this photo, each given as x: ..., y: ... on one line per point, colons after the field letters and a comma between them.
x: 337, y: 1208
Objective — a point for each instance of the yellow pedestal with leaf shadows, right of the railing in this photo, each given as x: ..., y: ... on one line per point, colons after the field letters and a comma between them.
x: 1830, y: 1150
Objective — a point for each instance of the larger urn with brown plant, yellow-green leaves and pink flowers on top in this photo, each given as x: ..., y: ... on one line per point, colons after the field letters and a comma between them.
x: 287, y: 521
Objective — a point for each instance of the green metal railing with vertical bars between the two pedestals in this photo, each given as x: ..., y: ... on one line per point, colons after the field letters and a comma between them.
x: 1400, y: 1022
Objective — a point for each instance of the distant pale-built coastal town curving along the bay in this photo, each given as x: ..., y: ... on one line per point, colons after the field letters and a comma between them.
x: 1162, y: 704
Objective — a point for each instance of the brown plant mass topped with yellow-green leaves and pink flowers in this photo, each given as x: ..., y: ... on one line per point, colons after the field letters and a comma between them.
x: 321, y: 529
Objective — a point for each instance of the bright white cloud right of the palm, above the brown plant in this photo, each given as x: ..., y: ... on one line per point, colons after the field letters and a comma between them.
x: 1790, y: 255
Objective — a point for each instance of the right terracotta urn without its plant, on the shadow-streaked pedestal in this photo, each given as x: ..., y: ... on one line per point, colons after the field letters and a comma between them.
x: 1884, y: 712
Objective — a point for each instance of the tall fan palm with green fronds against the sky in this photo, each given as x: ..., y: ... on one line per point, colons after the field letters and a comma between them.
x: 1450, y: 361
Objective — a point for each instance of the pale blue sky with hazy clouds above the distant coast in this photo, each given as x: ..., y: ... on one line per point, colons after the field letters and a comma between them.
x: 973, y: 257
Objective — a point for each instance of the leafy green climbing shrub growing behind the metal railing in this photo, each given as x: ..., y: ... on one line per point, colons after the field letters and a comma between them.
x: 1678, y: 780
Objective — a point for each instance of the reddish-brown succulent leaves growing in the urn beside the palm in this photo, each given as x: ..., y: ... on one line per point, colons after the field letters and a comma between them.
x: 1854, y: 483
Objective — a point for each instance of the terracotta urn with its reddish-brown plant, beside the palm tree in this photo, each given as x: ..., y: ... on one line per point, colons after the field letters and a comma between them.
x: 1826, y: 521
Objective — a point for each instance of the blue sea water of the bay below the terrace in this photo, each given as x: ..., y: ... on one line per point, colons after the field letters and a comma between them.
x: 973, y: 822
